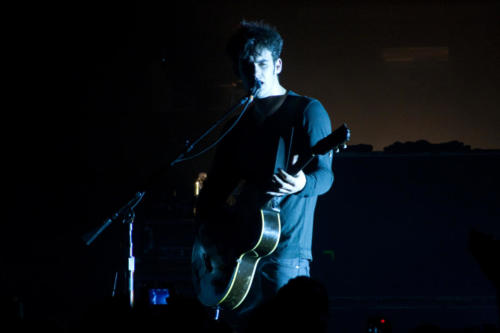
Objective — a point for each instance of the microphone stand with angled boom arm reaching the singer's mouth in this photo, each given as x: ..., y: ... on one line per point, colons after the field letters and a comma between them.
x: 127, y: 214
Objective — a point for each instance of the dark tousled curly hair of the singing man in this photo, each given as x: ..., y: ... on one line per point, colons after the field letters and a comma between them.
x: 250, y: 38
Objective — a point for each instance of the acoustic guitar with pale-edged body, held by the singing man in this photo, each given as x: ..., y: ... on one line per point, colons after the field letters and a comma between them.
x: 224, y: 280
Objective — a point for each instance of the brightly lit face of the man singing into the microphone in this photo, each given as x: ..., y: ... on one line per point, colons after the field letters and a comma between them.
x: 261, y: 67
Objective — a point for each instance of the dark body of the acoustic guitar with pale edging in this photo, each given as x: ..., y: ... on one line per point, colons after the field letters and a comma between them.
x: 211, y: 272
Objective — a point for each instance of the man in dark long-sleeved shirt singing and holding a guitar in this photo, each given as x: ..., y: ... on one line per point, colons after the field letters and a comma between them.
x: 277, y: 131
